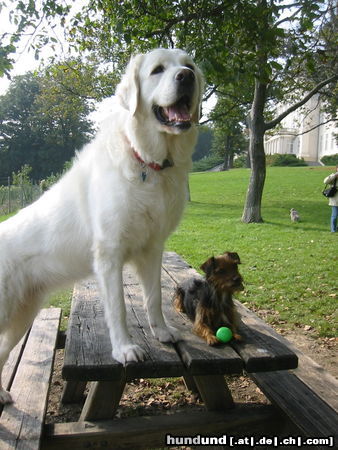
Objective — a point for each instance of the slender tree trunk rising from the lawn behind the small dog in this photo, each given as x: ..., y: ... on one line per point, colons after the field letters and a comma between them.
x: 252, y: 208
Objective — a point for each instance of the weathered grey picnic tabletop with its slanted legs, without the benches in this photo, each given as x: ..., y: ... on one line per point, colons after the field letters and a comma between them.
x: 88, y: 355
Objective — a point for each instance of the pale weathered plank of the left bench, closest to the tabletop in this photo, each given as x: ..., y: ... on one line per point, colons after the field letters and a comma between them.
x: 21, y: 422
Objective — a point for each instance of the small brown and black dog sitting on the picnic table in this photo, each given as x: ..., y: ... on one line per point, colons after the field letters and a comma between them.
x: 208, y: 301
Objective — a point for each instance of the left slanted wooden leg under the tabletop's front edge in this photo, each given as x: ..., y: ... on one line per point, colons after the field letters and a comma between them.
x: 103, y: 399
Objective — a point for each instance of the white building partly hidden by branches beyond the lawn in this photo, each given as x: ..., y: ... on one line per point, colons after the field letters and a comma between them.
x: 293, y: 138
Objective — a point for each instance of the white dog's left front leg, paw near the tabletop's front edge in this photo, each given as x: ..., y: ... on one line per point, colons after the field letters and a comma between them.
x: 108, y: 269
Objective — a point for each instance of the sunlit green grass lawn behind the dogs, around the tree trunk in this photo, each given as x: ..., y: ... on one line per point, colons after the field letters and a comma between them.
x: 290, y: 270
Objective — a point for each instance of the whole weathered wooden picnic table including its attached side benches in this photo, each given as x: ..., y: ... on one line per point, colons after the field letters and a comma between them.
x: 304, y: 400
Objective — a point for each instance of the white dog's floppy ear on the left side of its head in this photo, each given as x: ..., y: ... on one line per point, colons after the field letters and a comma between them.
x: 128, y: 89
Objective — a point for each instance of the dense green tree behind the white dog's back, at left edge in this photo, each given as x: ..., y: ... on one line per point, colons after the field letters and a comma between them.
x: 41, y: 122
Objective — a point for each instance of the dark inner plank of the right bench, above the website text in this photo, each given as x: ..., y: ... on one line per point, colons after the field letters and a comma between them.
x: 307, y: 411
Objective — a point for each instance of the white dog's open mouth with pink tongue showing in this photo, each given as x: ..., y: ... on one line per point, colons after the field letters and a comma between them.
x: 176, y: 115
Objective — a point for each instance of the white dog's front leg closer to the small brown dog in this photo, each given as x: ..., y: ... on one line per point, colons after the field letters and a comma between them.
x: 149, y: 270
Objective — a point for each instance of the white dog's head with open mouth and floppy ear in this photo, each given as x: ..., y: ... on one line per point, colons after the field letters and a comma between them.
x: 164, y: 86
